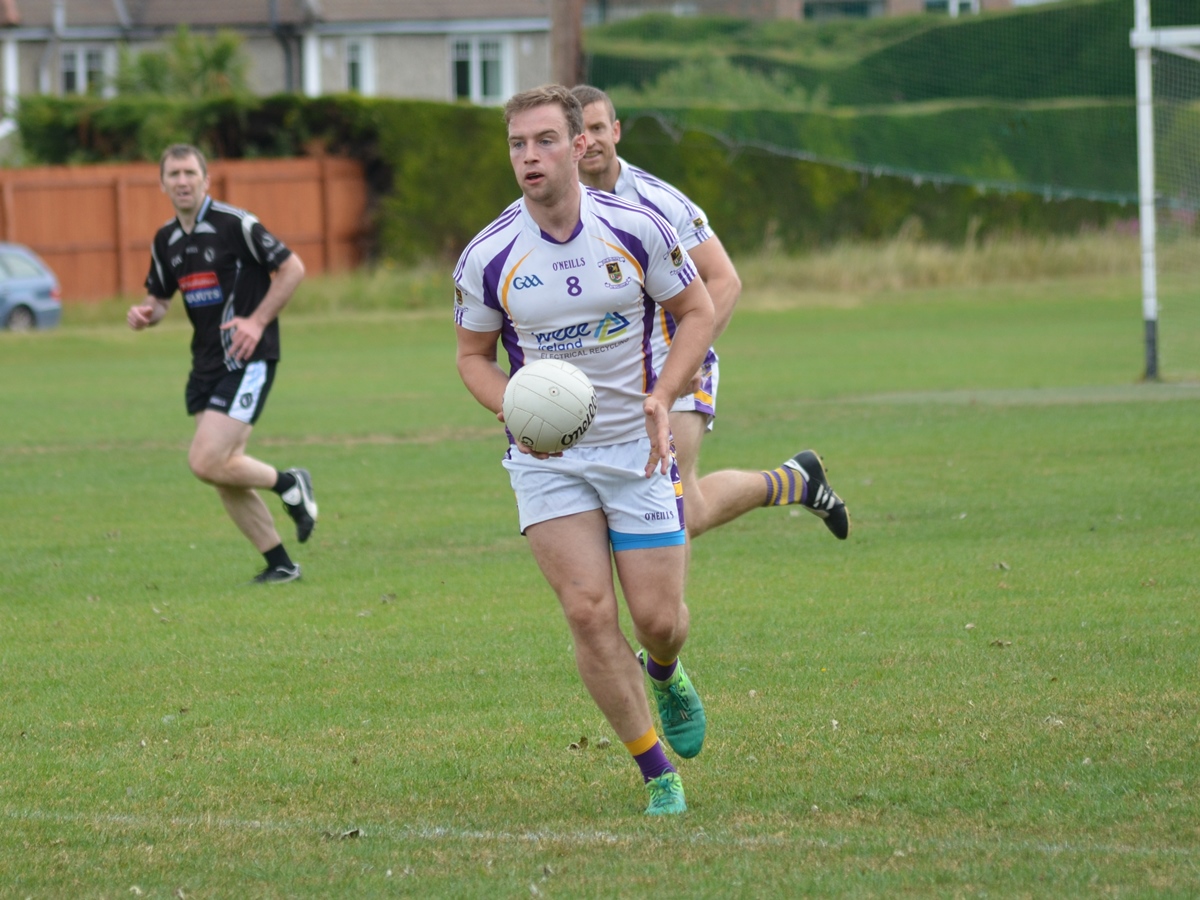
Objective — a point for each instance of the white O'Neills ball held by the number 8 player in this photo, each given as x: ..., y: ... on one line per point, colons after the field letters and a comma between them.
x: 549, y: 405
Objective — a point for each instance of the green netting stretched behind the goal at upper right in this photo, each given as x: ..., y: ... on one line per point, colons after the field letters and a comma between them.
x: 1035, y: 99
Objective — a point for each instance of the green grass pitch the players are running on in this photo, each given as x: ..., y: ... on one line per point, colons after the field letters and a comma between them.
x: 991, y: 689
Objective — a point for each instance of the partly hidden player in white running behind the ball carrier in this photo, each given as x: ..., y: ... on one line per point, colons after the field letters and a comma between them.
x: 723, y: 496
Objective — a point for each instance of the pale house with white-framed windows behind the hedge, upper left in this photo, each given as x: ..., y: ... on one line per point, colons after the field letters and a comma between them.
x: 478, y: 51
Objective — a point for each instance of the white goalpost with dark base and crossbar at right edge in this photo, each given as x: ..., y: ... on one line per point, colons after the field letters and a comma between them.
x: 1181, y: 43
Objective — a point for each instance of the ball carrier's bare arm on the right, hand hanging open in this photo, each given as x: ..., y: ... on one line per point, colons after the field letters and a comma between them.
x: 693, y: 311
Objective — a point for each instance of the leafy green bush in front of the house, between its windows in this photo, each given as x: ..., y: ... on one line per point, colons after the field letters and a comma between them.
x: 191, y: 67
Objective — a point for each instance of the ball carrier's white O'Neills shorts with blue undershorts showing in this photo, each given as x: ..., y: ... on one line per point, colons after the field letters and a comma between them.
x: 643, y: 512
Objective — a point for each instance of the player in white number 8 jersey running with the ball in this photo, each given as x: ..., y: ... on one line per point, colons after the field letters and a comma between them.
x: 575, y: 274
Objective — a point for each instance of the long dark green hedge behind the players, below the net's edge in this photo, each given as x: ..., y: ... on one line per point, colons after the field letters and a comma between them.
x: 440, y: 172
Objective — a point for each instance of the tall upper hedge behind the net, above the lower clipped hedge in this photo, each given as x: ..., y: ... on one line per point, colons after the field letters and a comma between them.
x: 1073, y: 49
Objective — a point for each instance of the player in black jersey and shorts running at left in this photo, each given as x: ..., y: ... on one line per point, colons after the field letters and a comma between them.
x: 235, y: 278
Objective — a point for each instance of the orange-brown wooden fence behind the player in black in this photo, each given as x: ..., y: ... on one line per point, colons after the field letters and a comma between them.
x: 94, y: 225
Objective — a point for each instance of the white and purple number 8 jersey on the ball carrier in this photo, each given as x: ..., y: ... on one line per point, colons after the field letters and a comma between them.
x: 591, y: 301
